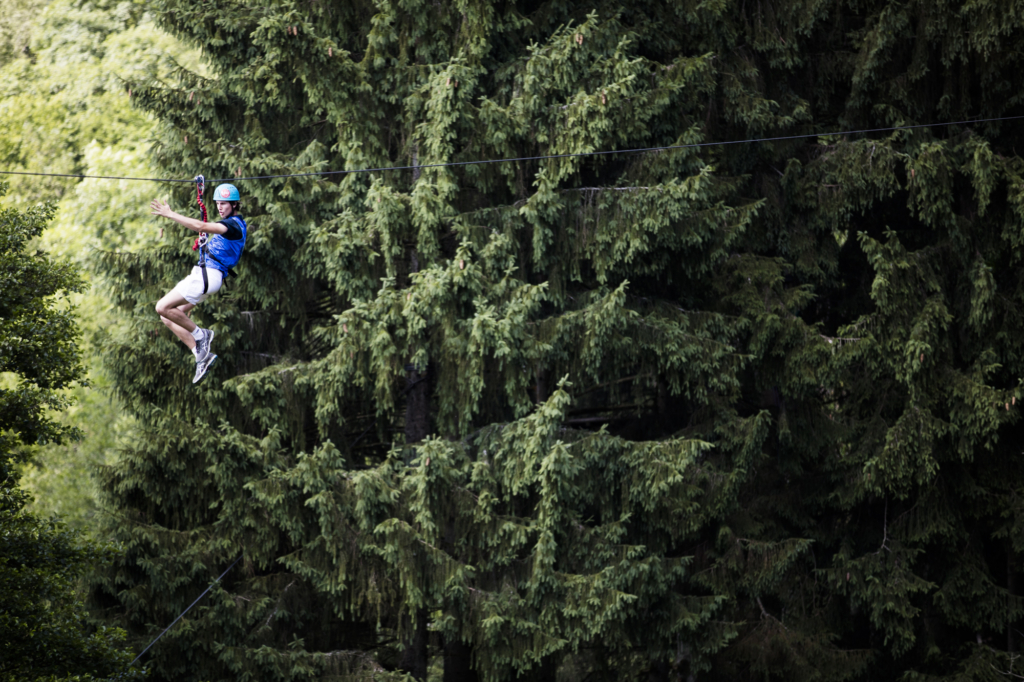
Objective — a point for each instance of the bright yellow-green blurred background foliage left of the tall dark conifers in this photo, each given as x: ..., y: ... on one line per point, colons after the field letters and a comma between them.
x: 66, y: 109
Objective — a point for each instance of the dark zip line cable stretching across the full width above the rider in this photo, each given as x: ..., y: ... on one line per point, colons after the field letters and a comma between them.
x: 538, y: 158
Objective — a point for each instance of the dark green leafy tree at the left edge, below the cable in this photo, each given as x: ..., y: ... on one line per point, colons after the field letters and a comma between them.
x: 45, y: 633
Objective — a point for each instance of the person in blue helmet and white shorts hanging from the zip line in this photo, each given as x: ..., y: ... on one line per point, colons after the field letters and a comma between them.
x: 221, y: 246
